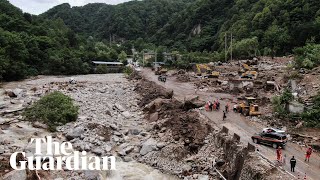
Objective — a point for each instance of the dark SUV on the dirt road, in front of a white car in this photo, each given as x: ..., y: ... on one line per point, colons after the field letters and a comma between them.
x: 272, y: 139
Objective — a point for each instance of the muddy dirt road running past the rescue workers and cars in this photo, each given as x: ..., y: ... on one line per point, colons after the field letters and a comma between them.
x: 242, y: 126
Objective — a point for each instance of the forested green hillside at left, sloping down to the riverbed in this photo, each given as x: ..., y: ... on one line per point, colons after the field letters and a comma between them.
x: 31, y: 45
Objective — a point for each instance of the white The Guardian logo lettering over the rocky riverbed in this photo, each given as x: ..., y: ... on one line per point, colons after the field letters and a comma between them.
x: 60, y: 157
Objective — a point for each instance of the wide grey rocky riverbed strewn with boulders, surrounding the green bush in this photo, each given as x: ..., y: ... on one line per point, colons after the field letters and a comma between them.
x: 110, y: 122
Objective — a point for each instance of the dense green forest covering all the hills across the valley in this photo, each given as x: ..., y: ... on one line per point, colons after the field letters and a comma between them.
x: 65, y: 39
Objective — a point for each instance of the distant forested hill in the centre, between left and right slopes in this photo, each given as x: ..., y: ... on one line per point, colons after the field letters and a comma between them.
x: 127, y: 21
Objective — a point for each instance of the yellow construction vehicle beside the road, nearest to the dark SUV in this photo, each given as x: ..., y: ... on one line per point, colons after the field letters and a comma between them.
x: 248, y: 108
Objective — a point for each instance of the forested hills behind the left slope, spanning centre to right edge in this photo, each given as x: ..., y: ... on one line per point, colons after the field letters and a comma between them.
x: 274, y: 26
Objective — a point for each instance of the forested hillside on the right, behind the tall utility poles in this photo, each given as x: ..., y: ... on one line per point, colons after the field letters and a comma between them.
x: 279, y: 25
